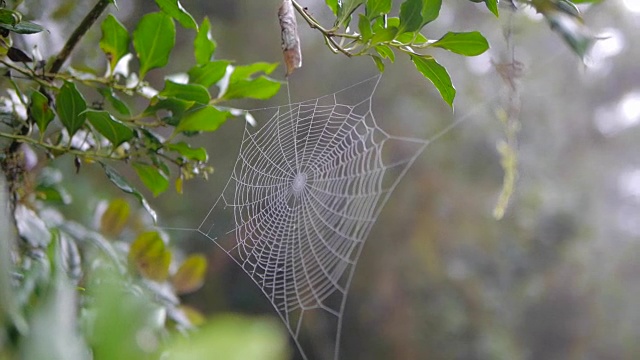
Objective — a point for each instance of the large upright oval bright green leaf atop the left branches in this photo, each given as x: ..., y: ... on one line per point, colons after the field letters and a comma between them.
x: 153, y: 39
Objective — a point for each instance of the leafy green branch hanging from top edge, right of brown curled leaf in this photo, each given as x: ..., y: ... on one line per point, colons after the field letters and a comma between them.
x: 380, y: 35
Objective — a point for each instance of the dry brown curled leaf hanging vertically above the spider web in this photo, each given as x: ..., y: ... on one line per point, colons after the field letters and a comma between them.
x: 290, y: 38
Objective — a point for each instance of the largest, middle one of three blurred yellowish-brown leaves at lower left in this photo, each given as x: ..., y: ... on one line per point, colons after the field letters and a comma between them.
x: 150, y: 256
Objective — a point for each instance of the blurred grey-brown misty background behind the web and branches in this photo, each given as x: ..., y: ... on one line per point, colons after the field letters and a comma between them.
x: 440, y: 278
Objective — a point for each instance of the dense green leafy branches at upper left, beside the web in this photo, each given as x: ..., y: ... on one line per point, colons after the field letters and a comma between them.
x: 94, y: 117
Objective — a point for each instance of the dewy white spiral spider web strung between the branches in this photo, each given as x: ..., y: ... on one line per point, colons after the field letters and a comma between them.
x: 305, y: 191
